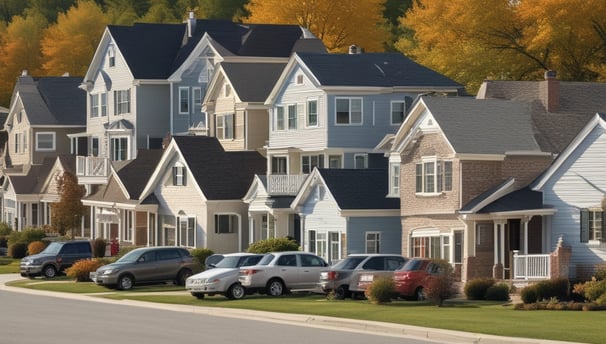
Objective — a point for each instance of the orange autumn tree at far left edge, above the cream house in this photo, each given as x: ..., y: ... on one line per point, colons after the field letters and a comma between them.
x: 20, y: 49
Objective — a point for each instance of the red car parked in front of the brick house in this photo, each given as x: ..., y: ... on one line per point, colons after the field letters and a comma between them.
x: 415, y: 276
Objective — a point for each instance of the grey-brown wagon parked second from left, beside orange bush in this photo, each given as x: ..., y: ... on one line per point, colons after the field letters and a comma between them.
x: 148, y: 265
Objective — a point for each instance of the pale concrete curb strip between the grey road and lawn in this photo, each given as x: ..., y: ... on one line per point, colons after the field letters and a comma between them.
x: 331, y: 323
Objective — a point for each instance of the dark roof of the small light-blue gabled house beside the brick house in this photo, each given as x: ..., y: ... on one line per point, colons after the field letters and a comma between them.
x: 359, y: 188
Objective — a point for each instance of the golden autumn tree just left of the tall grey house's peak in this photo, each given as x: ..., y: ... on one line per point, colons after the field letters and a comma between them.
x: 69, y: 45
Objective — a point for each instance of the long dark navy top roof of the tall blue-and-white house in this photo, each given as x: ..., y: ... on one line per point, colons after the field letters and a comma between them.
x: 373, y: 69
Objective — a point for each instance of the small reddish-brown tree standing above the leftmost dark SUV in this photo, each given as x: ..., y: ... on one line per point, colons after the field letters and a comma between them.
x: 67, y: 213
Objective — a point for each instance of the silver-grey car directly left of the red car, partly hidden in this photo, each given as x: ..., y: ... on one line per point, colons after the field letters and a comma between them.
x: 361, y: 279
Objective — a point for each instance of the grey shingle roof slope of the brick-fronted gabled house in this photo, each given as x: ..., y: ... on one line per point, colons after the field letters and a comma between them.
x: 484, y: 126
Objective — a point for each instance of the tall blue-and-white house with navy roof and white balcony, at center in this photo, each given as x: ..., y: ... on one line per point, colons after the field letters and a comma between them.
x: 330, y: 111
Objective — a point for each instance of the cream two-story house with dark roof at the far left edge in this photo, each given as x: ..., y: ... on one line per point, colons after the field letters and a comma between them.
x: 43, y: 111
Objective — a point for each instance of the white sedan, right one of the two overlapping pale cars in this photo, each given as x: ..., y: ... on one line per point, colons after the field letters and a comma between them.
x: 279, y: 272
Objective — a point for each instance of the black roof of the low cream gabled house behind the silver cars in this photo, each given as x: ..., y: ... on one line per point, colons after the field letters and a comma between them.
x: 220, y: 175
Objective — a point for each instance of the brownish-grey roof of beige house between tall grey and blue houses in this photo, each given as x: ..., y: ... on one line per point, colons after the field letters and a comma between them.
x: 253, y: 81
